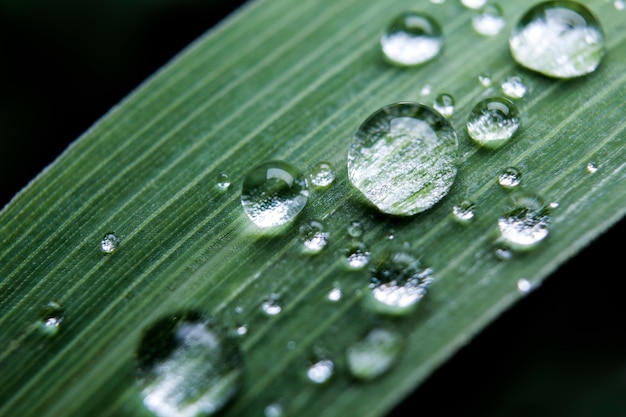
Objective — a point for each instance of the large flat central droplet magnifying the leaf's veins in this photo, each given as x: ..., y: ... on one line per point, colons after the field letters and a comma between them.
x: 403, y: 158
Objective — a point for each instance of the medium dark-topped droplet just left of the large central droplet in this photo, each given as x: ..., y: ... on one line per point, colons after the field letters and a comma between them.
x: 273, y: 193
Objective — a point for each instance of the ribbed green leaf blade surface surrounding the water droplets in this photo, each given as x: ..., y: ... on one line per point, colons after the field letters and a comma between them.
x: 280, y: 80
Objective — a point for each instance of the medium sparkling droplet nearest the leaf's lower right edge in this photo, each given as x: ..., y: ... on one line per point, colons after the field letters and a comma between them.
x: 526, y: 224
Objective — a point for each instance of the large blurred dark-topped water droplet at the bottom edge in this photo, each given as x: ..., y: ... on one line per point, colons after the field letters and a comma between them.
x: 187, y: 365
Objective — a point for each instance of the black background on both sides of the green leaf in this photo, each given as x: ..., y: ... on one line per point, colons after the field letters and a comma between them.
x: 558, y: 352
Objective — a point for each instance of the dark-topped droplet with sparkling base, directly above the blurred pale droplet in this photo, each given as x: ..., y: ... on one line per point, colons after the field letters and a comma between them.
x: 397, y: 283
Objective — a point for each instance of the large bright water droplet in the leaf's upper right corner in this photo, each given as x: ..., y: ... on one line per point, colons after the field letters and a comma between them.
x: 560, y: 39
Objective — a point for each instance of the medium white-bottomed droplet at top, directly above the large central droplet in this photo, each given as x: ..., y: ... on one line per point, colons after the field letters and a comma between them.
x: 412, y: 38
